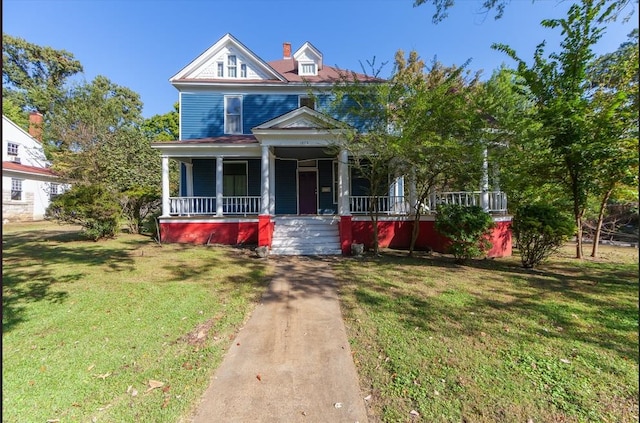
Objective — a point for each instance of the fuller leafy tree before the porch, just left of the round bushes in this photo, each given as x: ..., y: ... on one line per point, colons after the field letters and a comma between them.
x: 440, y: 127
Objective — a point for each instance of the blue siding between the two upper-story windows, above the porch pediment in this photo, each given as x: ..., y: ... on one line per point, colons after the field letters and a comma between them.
x: 258, y: 109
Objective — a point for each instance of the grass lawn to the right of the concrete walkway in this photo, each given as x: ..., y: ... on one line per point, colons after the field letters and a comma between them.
x: 492, y: 342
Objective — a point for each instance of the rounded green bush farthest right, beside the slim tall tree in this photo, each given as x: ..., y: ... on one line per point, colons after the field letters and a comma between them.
x: 540, y: 230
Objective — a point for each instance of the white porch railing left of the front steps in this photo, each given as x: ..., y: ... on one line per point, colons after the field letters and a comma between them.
x: 191, y: 206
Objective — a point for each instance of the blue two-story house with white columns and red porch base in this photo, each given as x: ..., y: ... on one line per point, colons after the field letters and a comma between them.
x: 256, y: 163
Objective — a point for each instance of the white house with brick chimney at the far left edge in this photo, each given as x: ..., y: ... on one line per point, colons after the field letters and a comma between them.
x: 28, y: 184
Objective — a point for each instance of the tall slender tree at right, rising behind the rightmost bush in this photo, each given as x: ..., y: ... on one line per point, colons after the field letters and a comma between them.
x: 560, y: 89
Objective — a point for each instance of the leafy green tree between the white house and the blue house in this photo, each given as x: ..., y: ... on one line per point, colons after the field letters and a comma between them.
x: 96, y: 138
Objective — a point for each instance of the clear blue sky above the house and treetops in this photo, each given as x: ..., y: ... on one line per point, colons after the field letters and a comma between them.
x: 140, y: 44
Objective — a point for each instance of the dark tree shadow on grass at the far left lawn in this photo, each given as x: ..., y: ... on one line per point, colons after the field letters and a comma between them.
x: 34, y: 262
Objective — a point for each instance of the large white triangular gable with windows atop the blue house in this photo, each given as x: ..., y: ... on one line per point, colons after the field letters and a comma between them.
x: 228, y: 60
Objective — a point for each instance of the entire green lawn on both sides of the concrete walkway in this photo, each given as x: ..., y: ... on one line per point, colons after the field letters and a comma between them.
x: 127, y: 330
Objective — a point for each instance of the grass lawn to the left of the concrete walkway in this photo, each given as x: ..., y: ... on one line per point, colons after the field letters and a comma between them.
x: 122, y: 330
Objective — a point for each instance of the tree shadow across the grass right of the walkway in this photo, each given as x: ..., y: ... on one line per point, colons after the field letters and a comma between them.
x: 594, y: 305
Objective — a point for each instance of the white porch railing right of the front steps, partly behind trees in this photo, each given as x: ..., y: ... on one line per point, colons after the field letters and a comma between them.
x: 496, y: 202
